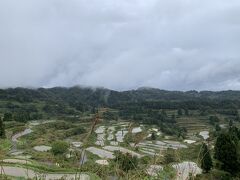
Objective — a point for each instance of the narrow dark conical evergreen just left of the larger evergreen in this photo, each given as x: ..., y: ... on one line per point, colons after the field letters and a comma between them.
x: 206, y: 160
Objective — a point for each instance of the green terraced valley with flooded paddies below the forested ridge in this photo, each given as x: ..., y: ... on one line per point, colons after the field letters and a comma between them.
x: 110, y: 143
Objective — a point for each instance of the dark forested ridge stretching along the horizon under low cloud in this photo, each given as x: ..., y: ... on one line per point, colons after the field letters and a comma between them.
x: 147, y: 97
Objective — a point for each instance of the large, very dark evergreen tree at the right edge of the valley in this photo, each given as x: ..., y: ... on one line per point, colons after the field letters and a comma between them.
x: 226, y: 153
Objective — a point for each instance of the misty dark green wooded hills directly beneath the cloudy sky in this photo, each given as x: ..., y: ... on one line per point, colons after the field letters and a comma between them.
x: 106, y: 97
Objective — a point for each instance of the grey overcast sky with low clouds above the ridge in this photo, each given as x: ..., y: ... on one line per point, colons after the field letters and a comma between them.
x: 120, y: 44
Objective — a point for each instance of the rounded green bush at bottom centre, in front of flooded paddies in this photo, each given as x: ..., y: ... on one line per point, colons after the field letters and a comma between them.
x: 126, y: 161
